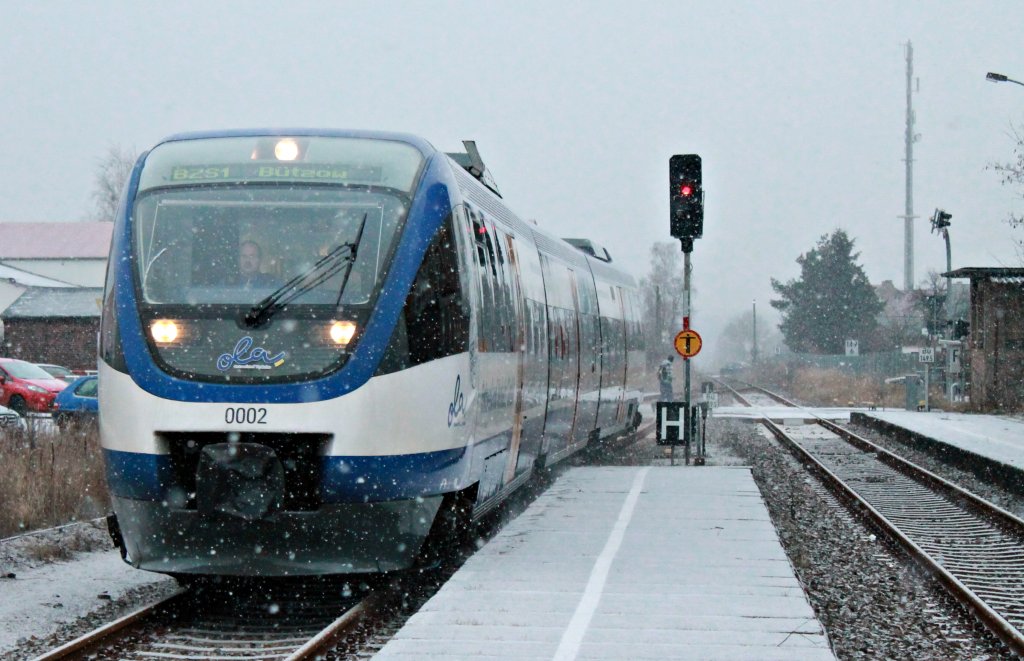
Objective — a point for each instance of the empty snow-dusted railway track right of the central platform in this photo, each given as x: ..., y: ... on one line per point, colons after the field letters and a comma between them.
x: 972, y: 547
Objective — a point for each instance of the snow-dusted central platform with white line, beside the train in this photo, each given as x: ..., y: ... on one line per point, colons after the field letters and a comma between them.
x: 625, y: 563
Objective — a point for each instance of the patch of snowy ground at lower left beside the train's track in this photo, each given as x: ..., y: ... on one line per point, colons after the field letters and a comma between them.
x: 38, y: 599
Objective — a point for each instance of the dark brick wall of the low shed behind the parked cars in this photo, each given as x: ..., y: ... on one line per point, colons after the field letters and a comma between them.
x: 69, y: 342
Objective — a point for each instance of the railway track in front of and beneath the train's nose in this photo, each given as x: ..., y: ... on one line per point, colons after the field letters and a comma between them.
x: 227, y: 625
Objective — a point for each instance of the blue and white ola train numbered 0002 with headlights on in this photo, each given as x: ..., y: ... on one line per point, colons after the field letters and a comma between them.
x: 409, y: 350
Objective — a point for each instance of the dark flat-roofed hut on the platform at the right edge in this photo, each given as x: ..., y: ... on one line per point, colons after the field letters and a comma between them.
x: 995, y: 348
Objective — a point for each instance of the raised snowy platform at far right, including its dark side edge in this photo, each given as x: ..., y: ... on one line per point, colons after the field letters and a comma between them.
x: 998, y: 440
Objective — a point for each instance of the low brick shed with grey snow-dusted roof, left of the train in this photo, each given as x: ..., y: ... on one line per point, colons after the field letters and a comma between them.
x: 54, y: 325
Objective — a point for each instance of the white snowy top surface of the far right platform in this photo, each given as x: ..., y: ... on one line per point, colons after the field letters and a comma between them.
x: 998, y: 437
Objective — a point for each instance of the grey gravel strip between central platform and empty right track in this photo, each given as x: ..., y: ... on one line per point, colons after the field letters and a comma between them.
x: 874, y: 603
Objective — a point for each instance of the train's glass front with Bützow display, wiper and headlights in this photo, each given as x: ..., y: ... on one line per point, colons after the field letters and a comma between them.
x: 222, y: 225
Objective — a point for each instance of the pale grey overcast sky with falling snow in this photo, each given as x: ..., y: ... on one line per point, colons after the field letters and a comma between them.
x: 797, y: 109
